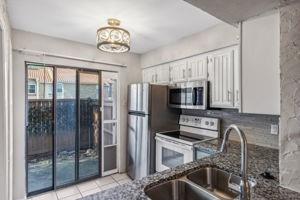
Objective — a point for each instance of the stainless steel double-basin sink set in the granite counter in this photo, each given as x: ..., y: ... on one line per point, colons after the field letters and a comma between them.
x: 209, y: 183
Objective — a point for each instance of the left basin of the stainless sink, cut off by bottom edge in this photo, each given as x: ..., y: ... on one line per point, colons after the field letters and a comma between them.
x: 178, y: 190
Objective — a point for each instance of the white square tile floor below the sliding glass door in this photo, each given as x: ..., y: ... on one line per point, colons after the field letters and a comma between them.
x: 85, y: 188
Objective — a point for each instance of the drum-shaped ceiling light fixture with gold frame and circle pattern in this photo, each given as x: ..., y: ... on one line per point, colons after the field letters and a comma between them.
x: 112, y: 38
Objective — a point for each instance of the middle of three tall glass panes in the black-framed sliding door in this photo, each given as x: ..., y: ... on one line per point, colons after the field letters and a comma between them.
x: 66, y: 120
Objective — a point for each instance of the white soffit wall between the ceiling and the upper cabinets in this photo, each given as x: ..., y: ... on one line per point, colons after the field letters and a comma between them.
x: 218, y: 36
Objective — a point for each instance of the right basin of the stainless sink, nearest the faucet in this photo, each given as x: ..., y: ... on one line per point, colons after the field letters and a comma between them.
x: 218, y: 182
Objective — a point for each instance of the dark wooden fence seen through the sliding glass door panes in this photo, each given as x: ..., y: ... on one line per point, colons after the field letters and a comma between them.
x: 40, y: 125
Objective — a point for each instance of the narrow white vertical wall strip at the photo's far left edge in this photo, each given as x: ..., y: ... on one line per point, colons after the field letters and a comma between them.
x: 5, y: 106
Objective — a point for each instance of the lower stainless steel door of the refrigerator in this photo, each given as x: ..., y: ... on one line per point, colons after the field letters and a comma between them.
x: 138, y: 146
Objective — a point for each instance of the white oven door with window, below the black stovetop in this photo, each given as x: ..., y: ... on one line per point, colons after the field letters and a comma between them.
x: 170, y: 154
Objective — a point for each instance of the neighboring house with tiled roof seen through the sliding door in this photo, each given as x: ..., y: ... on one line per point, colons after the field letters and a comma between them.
x: 40, y: 84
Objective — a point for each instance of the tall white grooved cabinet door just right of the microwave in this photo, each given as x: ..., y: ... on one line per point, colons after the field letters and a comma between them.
x: 221, y: 79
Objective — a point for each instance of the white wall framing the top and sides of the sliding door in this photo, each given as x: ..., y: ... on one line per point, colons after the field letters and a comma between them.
x: 26, y: 40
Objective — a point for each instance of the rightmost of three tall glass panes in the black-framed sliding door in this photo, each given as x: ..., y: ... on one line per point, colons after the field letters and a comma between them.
x: 89, y: 124
